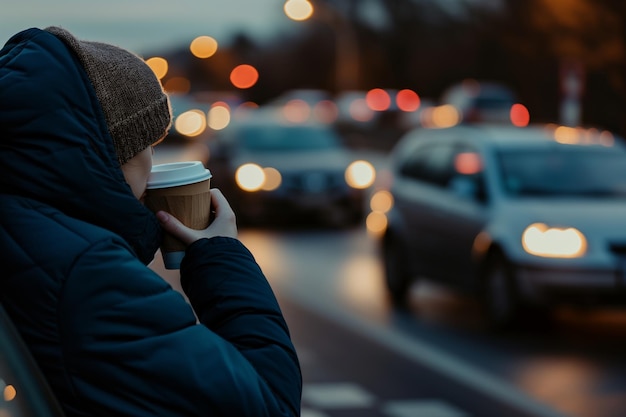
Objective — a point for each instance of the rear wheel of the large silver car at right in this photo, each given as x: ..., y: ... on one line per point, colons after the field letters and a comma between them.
x: 397, y: 270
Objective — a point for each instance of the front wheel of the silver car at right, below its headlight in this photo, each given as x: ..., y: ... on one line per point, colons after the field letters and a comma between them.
x: 501, y: 299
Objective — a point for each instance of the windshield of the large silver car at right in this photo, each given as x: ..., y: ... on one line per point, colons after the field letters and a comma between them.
x: 564, y: 172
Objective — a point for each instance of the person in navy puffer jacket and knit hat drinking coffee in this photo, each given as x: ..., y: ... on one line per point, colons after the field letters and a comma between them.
x: 78, y: 122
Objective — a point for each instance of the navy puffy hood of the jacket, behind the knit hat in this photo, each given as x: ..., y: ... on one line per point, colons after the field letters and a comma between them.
x: 55, y: 146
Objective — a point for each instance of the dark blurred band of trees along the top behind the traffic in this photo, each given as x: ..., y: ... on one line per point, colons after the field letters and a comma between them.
x: 426, y: 46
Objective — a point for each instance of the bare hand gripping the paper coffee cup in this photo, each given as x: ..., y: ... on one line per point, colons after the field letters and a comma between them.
x: 224, y: 223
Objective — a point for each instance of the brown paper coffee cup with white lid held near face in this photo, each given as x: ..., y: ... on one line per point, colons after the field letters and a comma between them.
x: 183, y: 189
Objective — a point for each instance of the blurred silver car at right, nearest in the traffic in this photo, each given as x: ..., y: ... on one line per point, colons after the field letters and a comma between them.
x: 522, y: 217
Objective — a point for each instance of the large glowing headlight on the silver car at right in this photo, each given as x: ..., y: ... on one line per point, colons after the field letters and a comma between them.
x: 552, y: 242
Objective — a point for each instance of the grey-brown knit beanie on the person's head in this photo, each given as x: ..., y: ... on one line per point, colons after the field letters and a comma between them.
x: 136, y: 108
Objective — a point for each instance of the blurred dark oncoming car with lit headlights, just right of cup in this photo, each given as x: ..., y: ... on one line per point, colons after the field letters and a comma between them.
x: 289, y: 172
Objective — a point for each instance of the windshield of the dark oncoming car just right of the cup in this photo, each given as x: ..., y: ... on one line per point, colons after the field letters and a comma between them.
x: 293, y: 138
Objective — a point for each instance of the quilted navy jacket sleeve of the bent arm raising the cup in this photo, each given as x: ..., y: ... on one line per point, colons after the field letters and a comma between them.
x: 133, y: 346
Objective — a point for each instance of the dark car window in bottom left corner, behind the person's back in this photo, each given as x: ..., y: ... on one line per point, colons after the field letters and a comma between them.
x: 25, y: 392
